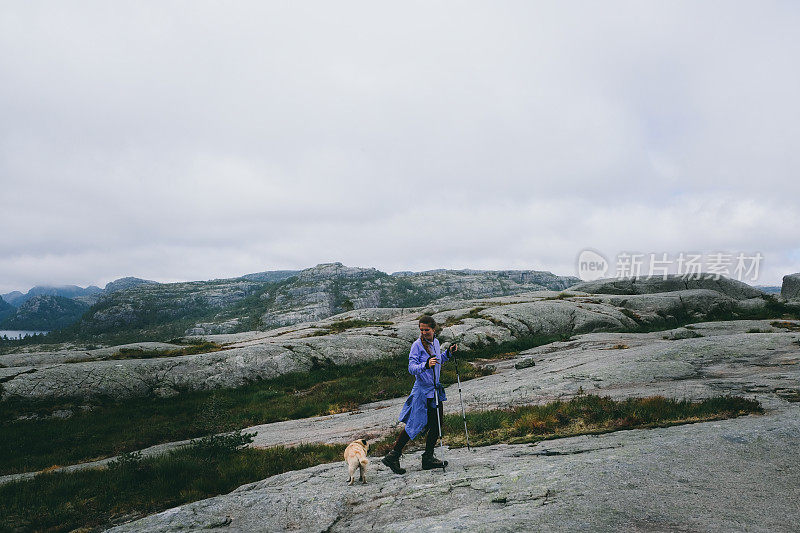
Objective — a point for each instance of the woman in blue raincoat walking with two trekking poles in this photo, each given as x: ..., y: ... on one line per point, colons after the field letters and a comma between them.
x: 419, y: 412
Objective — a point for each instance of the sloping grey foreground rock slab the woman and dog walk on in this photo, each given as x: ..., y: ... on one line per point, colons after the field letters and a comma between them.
x: 732, y: 475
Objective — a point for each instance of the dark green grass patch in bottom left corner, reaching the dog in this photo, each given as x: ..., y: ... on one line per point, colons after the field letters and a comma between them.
x: 133, y: 486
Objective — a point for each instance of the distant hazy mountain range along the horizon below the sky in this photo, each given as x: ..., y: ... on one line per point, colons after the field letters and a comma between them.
x: 131, y: 309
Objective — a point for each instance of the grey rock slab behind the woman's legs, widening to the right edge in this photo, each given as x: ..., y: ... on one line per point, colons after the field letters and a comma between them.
x: 725, y: 360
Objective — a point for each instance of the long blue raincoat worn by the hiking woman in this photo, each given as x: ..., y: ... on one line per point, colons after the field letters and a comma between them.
x: 415, y: 410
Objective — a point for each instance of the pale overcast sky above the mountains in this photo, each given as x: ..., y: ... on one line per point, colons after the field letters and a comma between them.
x: 198, y: 140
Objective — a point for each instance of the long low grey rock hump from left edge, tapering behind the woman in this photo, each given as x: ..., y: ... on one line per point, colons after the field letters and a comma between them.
x: 167, y: 376
